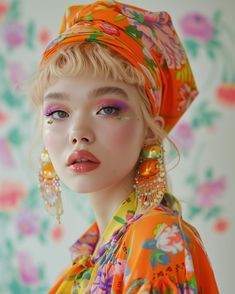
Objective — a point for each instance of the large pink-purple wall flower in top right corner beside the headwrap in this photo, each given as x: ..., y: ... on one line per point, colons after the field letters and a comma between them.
x: 197, y: 26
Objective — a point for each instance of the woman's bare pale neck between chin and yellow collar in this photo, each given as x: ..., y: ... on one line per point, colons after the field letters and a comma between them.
x: 106, y: 202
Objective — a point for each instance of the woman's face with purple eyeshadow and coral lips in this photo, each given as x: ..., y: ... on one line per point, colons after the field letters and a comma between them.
x: 100, y: 116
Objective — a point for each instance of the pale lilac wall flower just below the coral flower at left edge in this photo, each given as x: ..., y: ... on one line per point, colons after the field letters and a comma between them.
x: 27, y: 223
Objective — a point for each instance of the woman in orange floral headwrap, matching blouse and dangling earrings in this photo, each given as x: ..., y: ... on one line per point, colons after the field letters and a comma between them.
x: 109, y: 89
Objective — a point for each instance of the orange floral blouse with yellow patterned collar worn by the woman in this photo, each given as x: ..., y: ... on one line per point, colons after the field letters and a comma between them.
x: 156, y: 252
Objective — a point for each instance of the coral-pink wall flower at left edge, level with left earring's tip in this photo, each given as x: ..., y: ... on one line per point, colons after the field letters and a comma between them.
x: 11, y: 193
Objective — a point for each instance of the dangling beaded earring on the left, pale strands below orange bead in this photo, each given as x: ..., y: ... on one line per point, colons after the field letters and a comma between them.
x: 50, y: 186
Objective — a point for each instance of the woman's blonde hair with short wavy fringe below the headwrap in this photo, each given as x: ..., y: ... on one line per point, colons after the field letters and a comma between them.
x: 87, y: 58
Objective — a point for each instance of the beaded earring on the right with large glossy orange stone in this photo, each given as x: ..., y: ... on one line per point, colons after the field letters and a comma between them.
x: 150, y: 180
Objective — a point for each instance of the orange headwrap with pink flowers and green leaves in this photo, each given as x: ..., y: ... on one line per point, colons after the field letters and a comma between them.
x: 146, y: 39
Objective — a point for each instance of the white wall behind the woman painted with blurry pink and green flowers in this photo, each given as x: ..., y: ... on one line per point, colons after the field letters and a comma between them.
x: 33, y: 248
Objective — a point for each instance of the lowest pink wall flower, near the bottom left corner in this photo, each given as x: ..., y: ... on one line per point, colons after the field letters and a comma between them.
x: 28, y: 272
